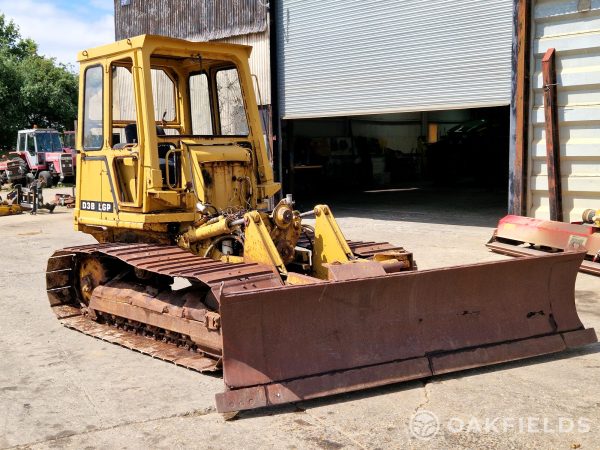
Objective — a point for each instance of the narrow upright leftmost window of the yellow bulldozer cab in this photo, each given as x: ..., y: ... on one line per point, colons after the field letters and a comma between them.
x: 93, y: 132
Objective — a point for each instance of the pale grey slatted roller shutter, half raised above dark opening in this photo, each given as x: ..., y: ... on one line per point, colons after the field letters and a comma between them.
x: 379, y: 56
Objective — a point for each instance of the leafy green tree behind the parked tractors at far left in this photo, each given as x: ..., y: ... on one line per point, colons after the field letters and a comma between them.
x: 34, y: 90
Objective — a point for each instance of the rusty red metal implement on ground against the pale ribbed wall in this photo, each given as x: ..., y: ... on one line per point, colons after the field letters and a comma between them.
x: 525, y: 236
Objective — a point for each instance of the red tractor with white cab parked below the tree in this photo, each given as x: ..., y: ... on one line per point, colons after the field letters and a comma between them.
x: 39, y: 155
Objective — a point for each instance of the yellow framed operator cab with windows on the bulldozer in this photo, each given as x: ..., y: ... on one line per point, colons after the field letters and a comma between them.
x: 175, y: 123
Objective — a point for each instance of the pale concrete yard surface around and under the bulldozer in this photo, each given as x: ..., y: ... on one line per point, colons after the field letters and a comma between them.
x: 62, y: 389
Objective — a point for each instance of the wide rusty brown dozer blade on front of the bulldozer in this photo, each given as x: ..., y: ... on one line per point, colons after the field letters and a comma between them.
x: 296, y: 343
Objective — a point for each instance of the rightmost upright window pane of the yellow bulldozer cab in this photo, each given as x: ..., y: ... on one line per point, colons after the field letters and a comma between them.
x: 232, y: 112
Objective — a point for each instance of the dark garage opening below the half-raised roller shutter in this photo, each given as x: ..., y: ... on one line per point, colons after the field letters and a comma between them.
x: 434, y: 150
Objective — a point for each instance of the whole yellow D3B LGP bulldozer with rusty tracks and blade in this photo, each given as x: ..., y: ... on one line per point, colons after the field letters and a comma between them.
x: 195, y: 263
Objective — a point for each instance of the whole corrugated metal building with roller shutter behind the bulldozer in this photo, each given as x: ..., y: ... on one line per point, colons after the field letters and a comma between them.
x: 365, y: 88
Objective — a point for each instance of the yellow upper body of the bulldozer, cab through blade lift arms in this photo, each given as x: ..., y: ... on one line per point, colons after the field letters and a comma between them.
x: 171, y: 150
